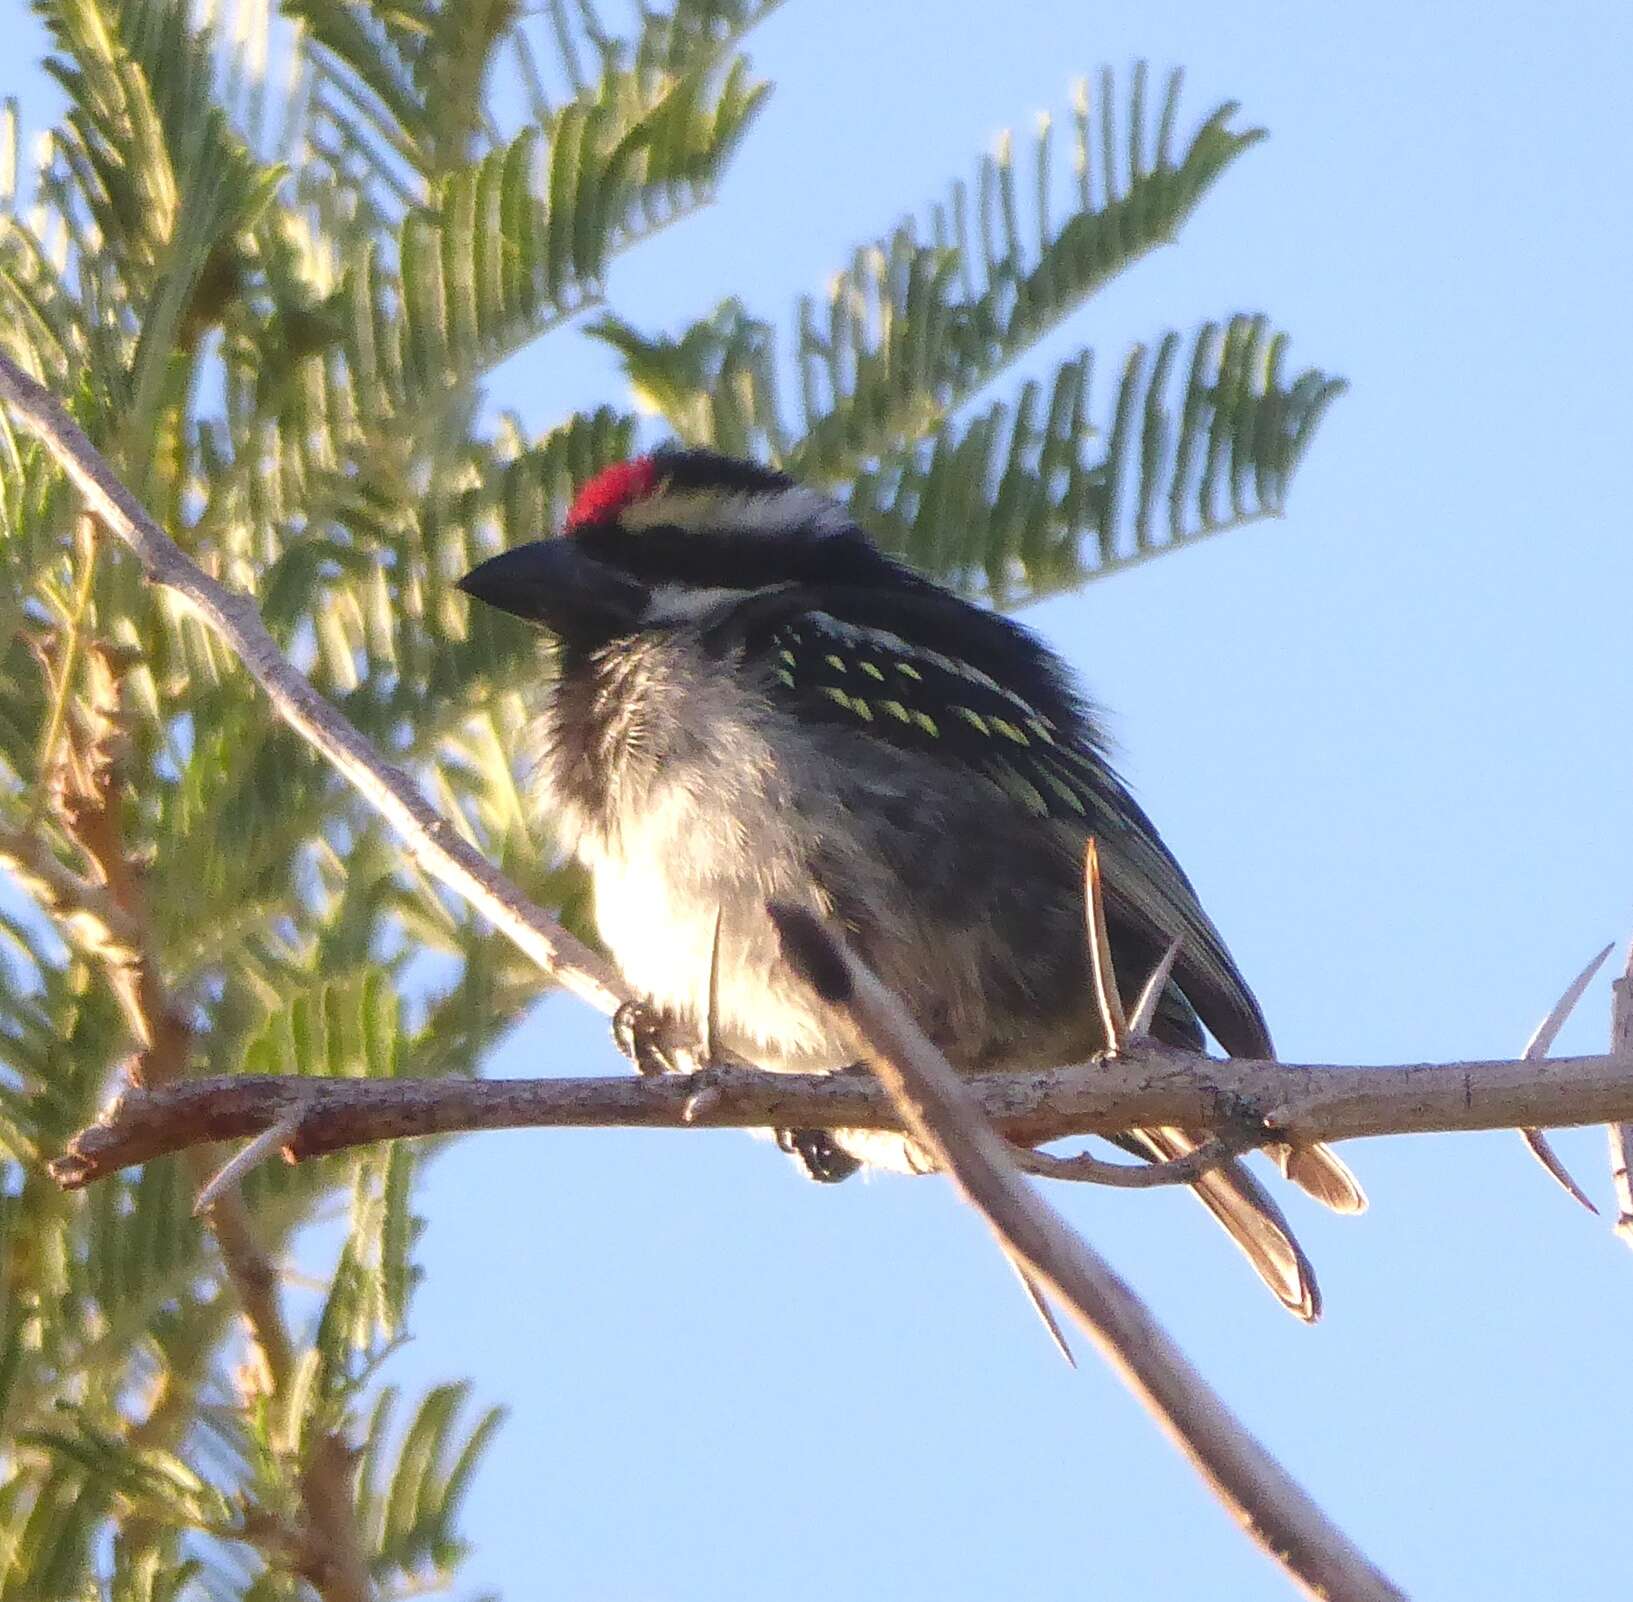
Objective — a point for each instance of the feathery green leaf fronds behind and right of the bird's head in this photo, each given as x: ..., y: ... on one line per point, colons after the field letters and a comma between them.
x: 1026, y: 497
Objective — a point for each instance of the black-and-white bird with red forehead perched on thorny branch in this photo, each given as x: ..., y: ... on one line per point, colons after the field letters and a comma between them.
x: 755, y: 705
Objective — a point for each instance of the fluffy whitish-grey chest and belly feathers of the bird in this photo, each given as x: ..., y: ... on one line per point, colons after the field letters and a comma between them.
x: 670, y: 783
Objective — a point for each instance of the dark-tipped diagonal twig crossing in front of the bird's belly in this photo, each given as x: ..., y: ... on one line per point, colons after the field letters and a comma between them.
x: 941, y: 1113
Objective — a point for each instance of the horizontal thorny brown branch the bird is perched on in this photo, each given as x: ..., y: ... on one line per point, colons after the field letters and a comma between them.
x: 1150, y: 1085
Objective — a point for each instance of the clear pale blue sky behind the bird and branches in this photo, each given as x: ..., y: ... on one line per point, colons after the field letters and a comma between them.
x: 1389, y: 737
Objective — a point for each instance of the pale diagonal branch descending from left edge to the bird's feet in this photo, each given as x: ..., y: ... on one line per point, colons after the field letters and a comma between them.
x: 430, y: 839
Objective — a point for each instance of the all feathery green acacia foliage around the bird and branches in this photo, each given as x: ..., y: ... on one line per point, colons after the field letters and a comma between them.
x: 275, y: 311
